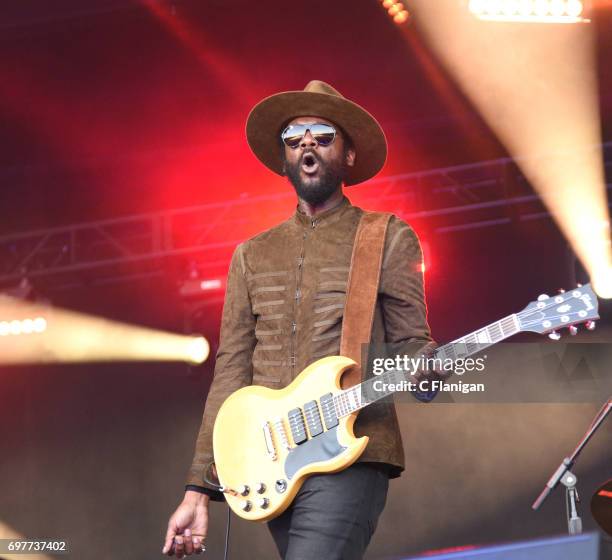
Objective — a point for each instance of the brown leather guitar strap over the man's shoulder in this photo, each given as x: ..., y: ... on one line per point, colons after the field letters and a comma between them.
x: 362, y: 290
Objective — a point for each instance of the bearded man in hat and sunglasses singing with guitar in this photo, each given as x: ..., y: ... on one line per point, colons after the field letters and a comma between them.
x: 284, y: 308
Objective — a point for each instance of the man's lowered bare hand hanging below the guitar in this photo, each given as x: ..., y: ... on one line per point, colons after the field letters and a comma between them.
x: 188, y: 526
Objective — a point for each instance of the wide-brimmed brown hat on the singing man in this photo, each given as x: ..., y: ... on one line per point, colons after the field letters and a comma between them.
x: 268, y: 118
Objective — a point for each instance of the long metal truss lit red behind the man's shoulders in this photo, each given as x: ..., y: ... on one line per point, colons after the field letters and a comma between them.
x: 450, y: 199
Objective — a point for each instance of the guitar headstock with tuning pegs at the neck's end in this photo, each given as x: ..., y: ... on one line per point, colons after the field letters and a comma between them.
x: 566, y: 309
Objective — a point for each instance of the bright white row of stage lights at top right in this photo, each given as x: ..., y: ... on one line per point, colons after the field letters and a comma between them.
x: 531, y: 11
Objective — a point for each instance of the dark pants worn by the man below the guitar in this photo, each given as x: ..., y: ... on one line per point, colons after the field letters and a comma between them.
x: 333, y: 516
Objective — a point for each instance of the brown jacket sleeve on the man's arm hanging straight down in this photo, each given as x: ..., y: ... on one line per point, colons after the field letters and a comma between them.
x: 233, y: 366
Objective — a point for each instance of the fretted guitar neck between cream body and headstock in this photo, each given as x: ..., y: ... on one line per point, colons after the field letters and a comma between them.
x: 366, y: 393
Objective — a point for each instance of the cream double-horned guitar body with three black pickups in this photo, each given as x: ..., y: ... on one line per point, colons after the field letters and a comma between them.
x: 255, y: 443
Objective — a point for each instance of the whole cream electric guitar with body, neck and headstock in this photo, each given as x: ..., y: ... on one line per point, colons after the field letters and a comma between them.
x: 267, y: 441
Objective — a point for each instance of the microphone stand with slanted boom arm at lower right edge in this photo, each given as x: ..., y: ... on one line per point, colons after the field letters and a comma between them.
x: 565, y: 476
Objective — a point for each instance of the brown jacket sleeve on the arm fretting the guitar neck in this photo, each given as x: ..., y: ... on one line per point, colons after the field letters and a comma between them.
x: 403, y: 296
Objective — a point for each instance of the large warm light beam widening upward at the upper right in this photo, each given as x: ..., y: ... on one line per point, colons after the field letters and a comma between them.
x: 536, y: 86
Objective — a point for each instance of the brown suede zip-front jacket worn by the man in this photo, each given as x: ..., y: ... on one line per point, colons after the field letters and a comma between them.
x: 283, y: 309
